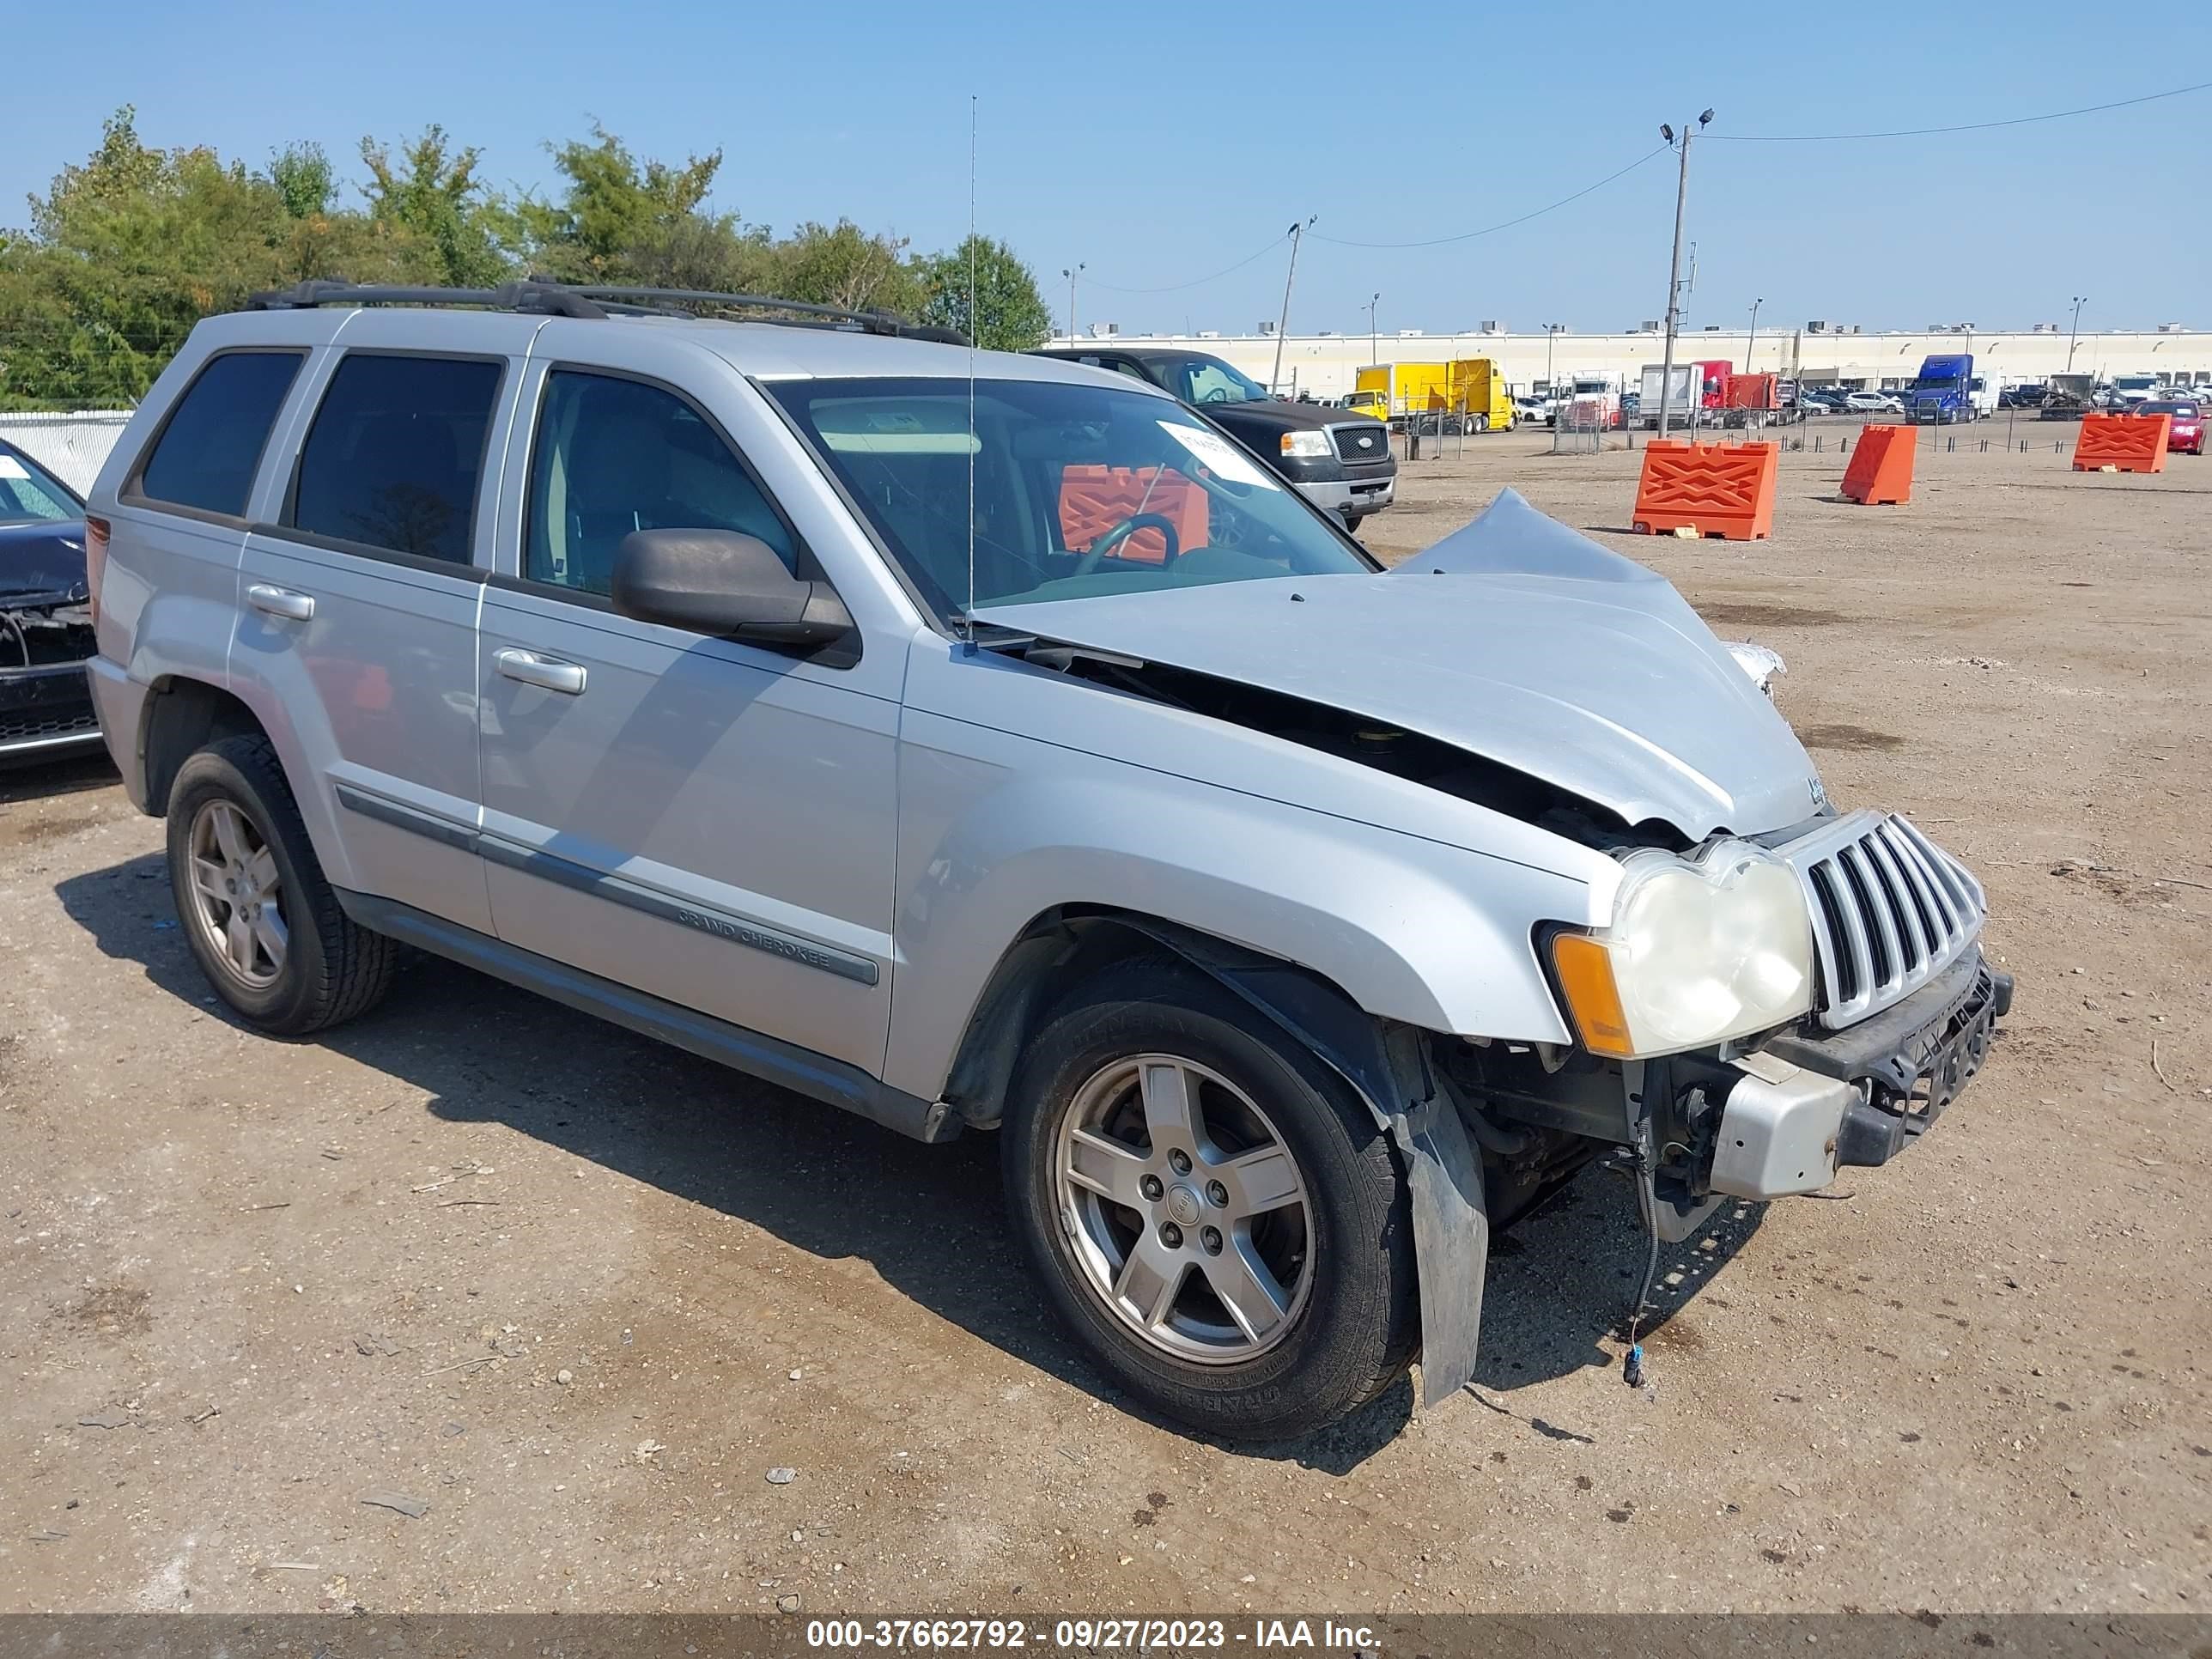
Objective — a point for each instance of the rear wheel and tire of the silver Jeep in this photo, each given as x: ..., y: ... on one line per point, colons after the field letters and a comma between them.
x: 315, y: 968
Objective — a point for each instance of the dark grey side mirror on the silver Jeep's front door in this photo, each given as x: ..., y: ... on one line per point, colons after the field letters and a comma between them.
x: 722, y: 583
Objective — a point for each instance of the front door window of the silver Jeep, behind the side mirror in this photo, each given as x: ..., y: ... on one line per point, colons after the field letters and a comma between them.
x: 618, y: 457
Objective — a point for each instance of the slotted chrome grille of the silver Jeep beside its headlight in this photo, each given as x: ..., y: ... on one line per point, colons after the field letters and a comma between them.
x: 1890, y: 910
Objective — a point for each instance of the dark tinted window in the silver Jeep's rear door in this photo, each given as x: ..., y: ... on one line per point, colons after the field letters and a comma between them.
x: 395, y: 455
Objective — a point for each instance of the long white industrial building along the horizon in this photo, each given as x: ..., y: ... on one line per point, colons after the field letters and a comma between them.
x: 1835, y: 355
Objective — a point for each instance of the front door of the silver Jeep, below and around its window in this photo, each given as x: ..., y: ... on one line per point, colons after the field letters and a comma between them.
x: 700, y: 820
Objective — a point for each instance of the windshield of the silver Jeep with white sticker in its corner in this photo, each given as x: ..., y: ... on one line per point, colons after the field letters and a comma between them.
x: 1078, y: 490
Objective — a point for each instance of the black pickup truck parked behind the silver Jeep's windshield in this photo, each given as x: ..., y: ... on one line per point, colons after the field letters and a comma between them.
x: 1335, y: 459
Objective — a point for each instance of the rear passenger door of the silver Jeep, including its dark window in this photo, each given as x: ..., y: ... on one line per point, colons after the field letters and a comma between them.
x: 357, y: 598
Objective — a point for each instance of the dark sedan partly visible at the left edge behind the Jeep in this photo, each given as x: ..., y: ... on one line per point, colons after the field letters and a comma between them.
x: 45, y: 616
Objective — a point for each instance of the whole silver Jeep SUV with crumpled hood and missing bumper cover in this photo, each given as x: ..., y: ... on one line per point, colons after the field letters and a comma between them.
x: 985, y: 742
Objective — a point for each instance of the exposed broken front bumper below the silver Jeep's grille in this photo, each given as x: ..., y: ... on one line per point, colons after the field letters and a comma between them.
x: 1806, y: 1107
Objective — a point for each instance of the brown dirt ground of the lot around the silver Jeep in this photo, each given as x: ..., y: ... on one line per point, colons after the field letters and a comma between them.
x: 576, y: 1295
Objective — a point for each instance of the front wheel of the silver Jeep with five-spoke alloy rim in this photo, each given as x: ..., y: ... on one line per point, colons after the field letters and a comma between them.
x: 1339, y: 1255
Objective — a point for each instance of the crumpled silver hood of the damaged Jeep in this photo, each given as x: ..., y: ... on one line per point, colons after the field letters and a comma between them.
x: 1603, y: 682
